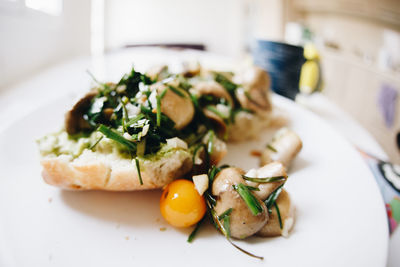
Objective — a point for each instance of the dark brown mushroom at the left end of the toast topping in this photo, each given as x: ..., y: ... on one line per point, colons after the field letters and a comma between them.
x: 74, y: 121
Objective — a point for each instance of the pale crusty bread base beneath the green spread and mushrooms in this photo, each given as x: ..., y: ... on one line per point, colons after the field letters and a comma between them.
x: 97, y: 171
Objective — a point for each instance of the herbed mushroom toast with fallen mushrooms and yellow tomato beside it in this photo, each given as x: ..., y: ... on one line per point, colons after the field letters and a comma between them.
x: 148, y: 130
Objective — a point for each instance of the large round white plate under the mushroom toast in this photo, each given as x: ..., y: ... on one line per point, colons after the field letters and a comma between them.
x: 341, y: 219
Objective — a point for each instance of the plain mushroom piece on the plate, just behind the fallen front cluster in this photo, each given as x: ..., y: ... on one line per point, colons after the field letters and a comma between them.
x: 285, y: 145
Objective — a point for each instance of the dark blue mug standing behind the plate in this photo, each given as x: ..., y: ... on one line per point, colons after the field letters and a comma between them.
x: 283, y: 62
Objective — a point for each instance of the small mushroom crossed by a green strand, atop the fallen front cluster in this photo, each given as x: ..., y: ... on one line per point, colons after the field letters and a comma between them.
x: 274, y: 169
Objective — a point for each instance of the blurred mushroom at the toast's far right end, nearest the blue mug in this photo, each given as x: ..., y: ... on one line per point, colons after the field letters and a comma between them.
x: 255, y: 92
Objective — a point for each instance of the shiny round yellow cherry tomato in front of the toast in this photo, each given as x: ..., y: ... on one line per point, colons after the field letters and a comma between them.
x: 181, y: 205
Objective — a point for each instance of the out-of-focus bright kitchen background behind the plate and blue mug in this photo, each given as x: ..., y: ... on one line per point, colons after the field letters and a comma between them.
x: 355, y: 44
